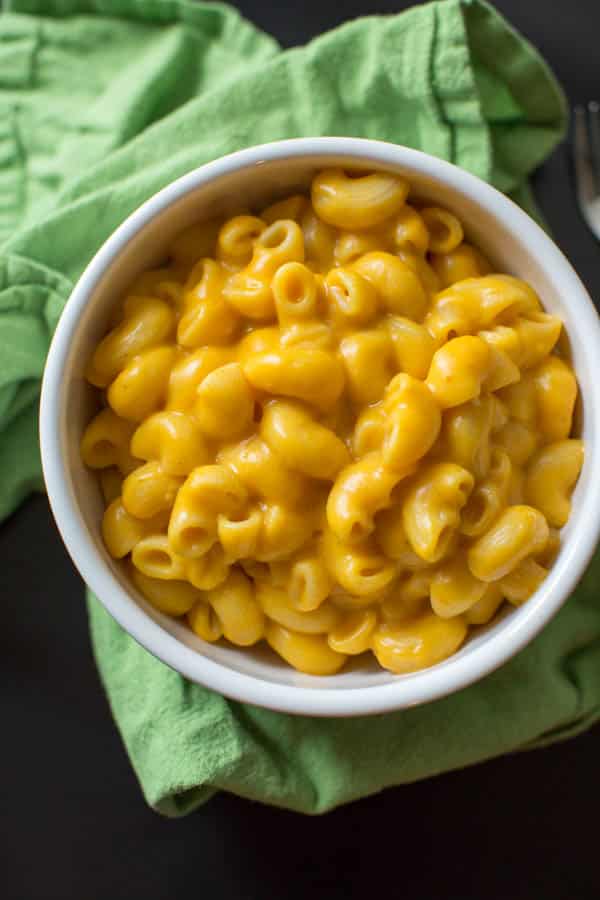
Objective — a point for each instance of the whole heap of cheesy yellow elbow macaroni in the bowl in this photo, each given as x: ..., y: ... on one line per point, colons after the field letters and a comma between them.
x: 332, y: 427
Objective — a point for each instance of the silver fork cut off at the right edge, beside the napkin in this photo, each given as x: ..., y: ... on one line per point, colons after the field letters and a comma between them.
x: 586, y: 158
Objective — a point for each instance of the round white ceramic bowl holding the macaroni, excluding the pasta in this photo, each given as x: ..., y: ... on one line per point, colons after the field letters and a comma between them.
x: 248, y: 178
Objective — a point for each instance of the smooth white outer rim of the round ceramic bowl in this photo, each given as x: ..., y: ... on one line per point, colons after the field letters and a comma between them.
x: 518, y: 629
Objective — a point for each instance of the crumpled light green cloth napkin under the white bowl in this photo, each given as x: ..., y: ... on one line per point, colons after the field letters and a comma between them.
x: 102, y: 102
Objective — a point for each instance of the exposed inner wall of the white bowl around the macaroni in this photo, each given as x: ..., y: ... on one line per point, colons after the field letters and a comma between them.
x: 252, y: 187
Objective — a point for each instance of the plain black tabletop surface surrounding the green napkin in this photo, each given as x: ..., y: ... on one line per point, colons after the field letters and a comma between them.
x: 73, y: 823
